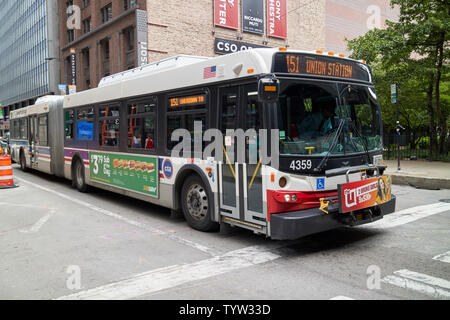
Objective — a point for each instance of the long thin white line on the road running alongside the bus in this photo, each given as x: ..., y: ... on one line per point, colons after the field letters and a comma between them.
x: 105, y: 212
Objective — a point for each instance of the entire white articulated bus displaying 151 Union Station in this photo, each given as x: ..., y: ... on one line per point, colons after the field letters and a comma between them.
x: 317, y: 115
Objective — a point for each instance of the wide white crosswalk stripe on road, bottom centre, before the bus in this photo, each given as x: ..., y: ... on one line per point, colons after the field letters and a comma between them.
x: 172, y: 276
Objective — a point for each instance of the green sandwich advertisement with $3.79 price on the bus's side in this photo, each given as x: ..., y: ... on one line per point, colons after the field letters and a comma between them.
x: 125, y: 171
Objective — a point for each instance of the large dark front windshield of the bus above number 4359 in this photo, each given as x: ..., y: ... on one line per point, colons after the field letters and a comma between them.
x: 310, y: 113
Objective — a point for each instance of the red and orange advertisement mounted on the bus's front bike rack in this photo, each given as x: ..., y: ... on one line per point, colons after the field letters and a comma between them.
x: 364, y: 194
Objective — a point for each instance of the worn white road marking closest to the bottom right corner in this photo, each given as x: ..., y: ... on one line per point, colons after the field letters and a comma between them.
x: 422, y: 283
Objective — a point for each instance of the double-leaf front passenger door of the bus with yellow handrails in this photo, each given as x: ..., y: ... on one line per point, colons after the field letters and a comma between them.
x: 241, y: 183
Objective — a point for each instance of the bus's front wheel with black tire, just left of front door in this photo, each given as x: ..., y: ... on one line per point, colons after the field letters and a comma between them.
x: 197, y: 205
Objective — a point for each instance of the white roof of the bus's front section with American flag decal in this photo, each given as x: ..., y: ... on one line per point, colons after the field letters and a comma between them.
x: 180, y: 72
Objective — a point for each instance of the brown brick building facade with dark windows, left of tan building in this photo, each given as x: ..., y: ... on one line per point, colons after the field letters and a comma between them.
x: 98, y: 38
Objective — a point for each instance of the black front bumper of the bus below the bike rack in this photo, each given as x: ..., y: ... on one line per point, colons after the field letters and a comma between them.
x: 294, y: 225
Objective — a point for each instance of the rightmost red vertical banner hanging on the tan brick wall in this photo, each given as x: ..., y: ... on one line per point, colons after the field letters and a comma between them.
x: 277, y: 19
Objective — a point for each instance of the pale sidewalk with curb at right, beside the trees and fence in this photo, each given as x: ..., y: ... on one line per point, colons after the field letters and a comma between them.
x: 420, y: 173
